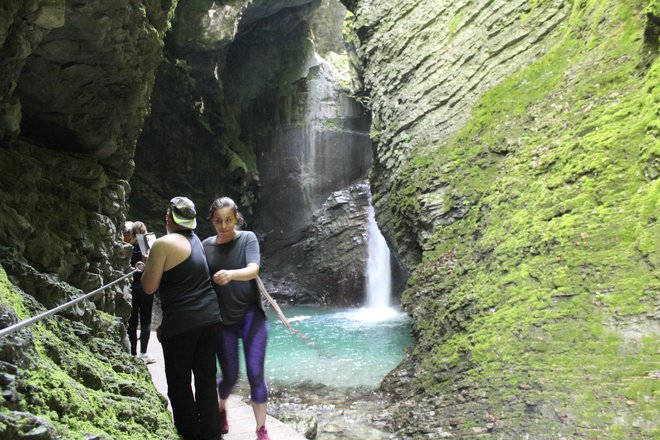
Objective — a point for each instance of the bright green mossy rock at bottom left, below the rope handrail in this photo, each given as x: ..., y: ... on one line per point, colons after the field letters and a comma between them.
x: 82, y: 389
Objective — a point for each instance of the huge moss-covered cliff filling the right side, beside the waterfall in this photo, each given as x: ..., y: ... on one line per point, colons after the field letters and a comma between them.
x: 516, y: 171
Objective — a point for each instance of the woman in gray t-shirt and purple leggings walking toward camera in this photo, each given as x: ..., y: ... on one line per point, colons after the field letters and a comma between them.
x: 233, y: 257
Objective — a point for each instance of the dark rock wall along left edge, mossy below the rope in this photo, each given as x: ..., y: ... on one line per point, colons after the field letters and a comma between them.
x: 75, y: 80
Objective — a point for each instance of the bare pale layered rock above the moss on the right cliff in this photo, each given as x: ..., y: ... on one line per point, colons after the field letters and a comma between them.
x: 424, y: 65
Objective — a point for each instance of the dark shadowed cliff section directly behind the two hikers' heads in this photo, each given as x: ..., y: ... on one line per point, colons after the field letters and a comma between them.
x: 190, y: 144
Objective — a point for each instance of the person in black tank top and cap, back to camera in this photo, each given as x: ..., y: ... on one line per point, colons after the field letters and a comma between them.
x: 189, y: 330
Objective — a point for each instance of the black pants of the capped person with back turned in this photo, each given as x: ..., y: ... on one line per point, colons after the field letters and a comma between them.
x: 195, y: 417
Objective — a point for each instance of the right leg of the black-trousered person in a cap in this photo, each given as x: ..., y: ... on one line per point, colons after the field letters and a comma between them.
x: 204, y: 370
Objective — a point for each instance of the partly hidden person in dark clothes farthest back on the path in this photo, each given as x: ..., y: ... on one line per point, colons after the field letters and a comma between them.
x: 141, y: 302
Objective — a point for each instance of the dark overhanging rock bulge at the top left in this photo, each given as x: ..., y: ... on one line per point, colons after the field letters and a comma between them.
x: 85, y: 86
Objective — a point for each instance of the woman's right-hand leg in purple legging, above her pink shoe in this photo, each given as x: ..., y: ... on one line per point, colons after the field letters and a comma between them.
x: 255, y: 338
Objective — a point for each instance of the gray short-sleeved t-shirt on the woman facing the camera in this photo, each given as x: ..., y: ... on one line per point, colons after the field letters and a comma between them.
x: 237, y: 296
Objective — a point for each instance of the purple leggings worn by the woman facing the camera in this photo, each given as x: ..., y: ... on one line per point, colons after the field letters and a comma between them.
x: 254, y: 332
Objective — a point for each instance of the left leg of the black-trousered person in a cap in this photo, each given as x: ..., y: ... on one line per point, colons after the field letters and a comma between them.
x: 178, y: 355
